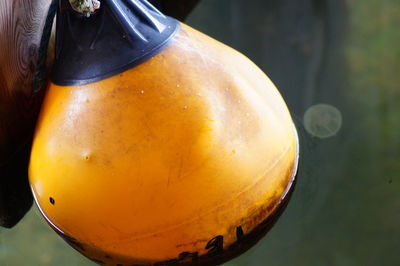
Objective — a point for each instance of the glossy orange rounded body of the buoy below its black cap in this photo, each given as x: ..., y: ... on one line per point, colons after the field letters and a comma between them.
x: 173, y: 160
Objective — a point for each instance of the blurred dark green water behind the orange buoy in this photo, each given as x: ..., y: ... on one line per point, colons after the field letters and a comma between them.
x: 337, y: 65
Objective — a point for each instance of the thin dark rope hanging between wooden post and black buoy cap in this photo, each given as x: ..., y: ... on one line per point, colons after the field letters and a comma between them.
x: 40, y: 74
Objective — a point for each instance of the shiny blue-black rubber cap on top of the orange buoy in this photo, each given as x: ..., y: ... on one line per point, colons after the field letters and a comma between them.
x: 117, y: 37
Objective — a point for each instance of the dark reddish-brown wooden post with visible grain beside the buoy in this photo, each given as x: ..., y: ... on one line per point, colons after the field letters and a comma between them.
x: 21, y: 25
